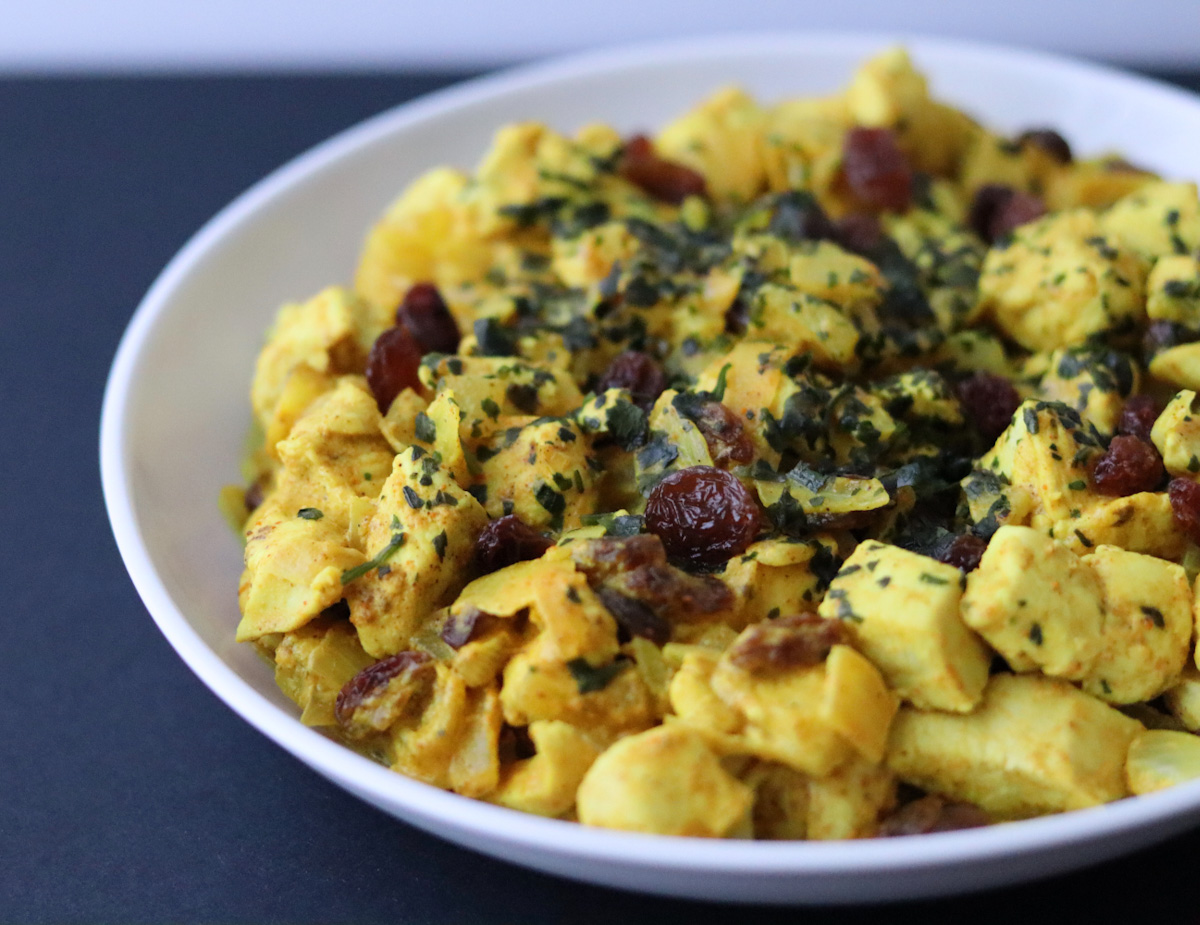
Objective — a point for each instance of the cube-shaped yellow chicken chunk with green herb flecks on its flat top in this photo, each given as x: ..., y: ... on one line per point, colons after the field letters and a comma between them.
x: 902, y: 611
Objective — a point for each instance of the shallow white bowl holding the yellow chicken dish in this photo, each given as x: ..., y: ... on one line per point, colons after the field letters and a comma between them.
x: 177, y: 409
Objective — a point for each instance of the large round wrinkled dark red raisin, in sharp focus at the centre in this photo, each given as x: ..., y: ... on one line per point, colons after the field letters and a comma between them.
x: 704, y: 515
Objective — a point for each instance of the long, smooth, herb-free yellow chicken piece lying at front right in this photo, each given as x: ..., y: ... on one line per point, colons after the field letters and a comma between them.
x: 1036, y: 746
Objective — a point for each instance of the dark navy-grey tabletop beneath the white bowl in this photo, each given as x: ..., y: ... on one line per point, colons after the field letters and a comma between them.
x: 130, y: 794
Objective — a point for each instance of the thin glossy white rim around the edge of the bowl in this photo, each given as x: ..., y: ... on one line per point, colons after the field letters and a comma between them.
x: 437, y: 810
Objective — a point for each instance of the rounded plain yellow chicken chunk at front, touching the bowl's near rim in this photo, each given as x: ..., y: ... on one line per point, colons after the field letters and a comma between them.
x: 665, y: 782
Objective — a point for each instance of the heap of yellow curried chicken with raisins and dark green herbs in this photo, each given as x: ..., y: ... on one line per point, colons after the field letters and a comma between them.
x: 823, y: 470
